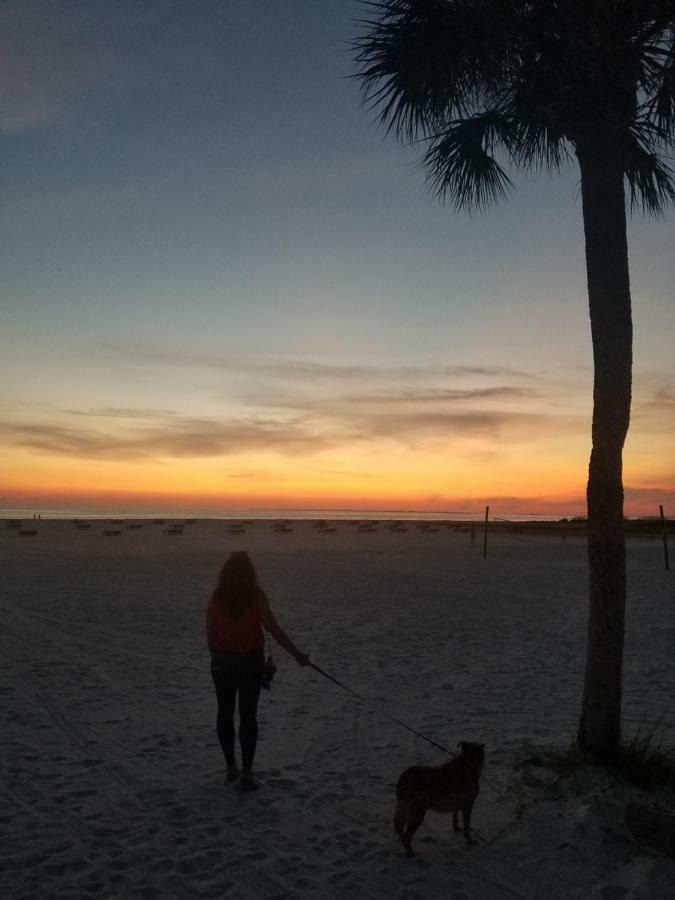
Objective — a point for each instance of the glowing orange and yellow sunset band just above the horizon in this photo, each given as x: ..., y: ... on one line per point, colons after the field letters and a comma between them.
x: 533, y: 466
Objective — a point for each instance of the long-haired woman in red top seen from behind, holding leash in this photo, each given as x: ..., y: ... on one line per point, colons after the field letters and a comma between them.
x: 236, y: 614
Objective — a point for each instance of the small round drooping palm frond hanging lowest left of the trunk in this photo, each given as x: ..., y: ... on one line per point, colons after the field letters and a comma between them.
x: 460, y: 162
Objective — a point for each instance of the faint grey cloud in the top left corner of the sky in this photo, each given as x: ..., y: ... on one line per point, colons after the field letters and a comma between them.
x: 55, y: 55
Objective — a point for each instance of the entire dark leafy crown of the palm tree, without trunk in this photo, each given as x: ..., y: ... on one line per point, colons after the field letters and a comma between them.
x: 481, y: 79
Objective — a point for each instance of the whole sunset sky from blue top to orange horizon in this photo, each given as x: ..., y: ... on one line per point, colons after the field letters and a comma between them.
x: 221, y: 285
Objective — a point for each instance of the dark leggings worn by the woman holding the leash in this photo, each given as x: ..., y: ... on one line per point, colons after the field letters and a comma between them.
x: 237, y: 673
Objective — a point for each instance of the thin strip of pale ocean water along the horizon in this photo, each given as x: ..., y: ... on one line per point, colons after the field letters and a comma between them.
x: 475, y: 515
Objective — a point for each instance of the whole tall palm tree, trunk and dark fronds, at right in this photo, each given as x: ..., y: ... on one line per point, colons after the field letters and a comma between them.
x: 483, y: 84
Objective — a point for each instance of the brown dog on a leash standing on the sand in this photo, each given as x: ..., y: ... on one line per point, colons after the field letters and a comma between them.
x: 448, y: 788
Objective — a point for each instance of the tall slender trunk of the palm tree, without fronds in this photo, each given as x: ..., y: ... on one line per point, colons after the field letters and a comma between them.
x: 604, y: 211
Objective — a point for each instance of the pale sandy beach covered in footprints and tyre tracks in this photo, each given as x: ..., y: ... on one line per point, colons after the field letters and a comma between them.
x: 112, y: 777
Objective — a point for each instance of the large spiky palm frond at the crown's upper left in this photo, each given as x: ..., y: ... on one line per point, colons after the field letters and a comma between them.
x: 424, y: 60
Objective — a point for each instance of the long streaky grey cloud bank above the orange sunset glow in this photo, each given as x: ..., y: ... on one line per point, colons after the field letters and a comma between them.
x: 298, y: 408
